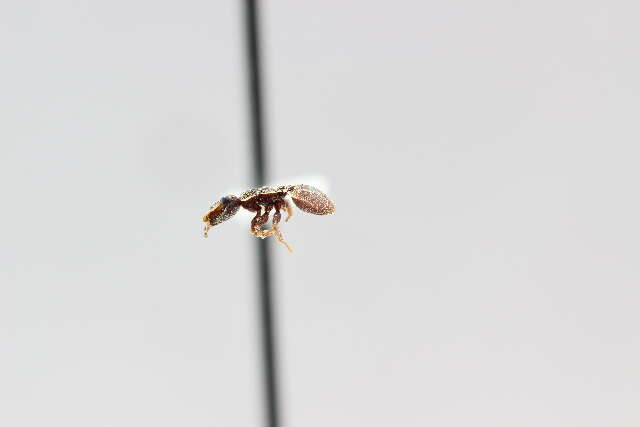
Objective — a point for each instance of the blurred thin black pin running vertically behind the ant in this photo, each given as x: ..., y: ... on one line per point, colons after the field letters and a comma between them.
x: 259, y: 169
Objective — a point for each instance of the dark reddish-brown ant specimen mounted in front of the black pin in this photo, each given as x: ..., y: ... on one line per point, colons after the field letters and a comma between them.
x: 262, y: 200
